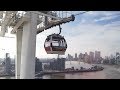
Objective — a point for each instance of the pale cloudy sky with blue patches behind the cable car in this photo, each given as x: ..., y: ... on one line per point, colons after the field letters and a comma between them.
x: 91, y: 31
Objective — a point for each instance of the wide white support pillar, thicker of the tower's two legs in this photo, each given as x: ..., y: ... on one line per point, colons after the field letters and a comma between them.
x: 28, y: 48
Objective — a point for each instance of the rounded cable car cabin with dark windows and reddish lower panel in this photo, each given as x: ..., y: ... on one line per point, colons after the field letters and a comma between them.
x: 55, y: 44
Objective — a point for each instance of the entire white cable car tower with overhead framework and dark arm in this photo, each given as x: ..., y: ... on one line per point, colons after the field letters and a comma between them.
x: 26, y: 25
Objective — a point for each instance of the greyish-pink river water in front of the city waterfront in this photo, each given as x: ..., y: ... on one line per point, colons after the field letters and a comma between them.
x: 109, y: 72
